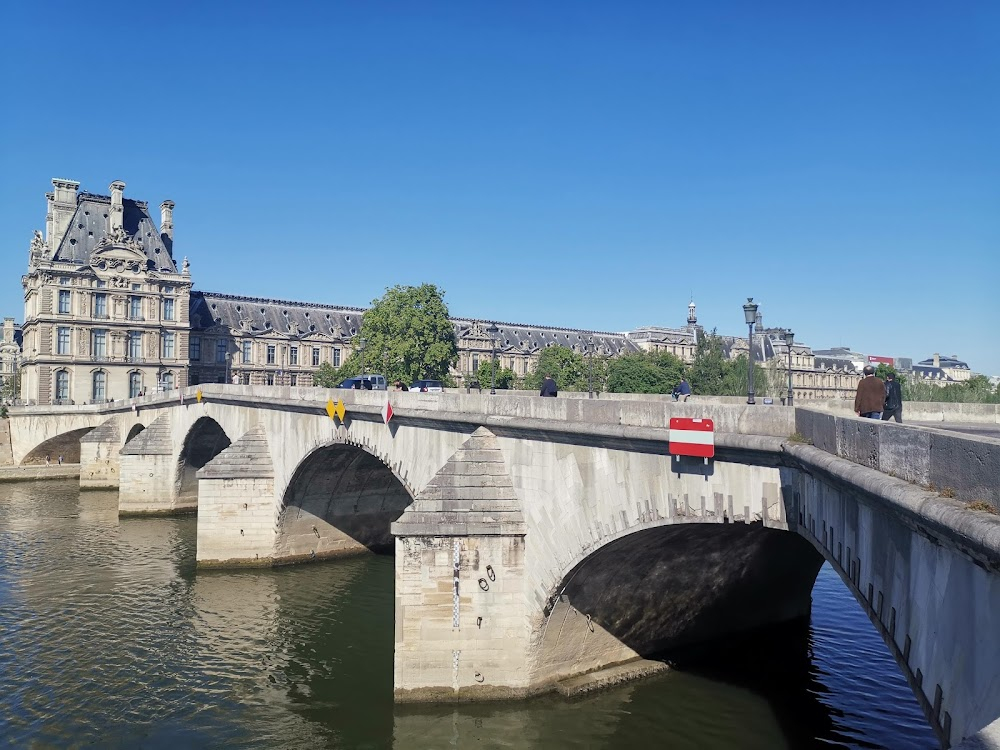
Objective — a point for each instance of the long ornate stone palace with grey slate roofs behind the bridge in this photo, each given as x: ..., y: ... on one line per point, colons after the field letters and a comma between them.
x: 110, y: 313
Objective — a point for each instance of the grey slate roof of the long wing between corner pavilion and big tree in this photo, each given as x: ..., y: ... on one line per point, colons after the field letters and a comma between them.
x: 260, y: 315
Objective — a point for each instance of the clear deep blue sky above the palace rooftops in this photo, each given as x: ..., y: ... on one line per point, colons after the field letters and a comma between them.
x: 592, y: 165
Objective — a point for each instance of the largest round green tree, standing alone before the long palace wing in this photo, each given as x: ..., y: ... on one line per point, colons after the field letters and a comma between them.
x: 408, y: 334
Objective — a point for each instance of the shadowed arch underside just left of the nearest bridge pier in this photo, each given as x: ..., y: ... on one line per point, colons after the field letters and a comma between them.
x: 340, y: 501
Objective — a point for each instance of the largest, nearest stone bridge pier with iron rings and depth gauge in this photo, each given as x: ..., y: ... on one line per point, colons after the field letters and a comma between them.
x: 461, y: 630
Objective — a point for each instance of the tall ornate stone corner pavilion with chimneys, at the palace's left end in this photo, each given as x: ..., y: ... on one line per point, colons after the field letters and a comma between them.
x: 105, y: 306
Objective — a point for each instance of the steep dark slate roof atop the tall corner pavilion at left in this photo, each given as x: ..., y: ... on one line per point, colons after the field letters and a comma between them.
x: 90, y: 225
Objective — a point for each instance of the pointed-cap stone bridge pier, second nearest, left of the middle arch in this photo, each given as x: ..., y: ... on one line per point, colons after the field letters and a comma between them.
x: 236, y: 505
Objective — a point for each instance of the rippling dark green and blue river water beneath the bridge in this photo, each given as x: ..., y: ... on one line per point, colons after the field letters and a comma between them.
x: 110, y: 638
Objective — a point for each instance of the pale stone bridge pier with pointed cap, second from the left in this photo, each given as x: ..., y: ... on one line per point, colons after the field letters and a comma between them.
x: 148, y: 475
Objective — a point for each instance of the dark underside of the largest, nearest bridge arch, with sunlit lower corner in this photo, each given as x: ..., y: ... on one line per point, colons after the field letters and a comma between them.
x: 671, y: 586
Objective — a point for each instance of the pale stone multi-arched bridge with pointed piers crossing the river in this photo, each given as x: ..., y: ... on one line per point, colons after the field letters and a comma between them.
x: 537, y: 540
